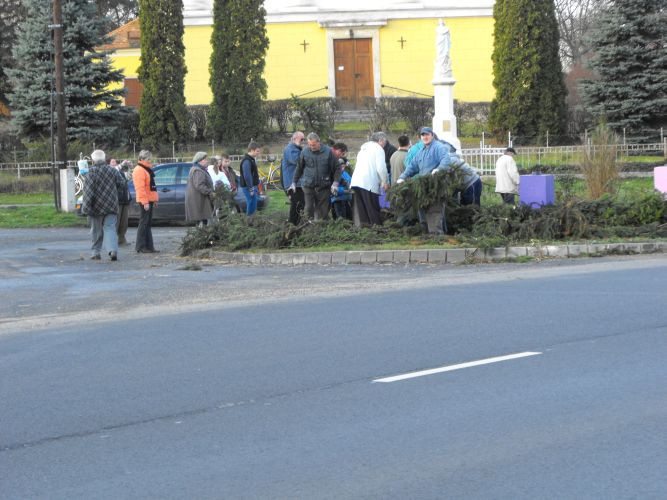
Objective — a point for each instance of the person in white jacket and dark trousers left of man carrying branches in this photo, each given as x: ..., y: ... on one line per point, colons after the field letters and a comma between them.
x: 370, y: 174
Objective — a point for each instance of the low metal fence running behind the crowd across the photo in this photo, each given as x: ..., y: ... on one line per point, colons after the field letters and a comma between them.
x: 483, y: 158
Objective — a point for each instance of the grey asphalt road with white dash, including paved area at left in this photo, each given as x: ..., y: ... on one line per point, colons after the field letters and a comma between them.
x: 271, y: 387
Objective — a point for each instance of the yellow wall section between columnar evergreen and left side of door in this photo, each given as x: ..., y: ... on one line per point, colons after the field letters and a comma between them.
x: 285, y: 54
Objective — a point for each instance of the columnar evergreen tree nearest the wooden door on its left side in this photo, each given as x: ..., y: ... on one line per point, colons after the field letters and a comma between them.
x: 239, y: 43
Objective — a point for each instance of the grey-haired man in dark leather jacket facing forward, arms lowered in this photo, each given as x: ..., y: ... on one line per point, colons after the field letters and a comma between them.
x: 319, y: 169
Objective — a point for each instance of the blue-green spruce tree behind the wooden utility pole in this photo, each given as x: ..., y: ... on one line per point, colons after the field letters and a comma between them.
x: 93, y: 105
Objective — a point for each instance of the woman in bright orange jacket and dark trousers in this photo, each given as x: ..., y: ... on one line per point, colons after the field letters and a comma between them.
x: 147, y: 197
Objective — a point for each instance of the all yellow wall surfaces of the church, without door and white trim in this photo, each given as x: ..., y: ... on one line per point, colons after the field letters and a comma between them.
x: 290, y: 70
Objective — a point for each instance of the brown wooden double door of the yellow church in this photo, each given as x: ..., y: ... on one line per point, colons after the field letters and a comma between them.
x: 353, y: 59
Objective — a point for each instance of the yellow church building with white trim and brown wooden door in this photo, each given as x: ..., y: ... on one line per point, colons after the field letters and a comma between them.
x: 325, y: 48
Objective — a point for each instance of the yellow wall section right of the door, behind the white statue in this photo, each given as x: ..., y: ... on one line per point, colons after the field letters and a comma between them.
x: 412, y: 67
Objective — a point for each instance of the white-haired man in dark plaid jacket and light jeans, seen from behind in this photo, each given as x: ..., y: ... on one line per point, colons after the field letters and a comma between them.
x: 100, y: 204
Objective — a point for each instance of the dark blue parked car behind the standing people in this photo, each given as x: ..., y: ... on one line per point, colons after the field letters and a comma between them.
x: 171, y: 179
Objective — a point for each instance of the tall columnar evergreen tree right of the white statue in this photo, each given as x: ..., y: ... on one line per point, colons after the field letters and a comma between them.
x: 527, y: 71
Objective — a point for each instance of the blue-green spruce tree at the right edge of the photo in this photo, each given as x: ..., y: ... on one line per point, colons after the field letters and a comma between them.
x: 630, y: 58
